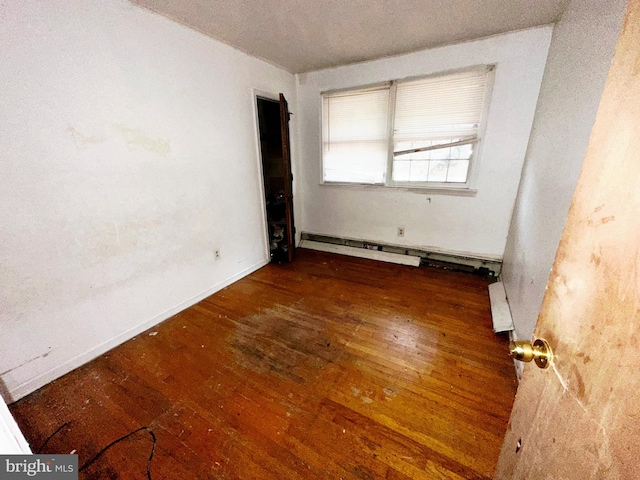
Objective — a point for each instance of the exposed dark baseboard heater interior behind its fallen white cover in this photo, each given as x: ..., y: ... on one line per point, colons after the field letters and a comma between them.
x: 453, y: 261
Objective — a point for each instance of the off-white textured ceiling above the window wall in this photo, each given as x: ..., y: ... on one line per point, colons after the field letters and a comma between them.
x: 306, y: 35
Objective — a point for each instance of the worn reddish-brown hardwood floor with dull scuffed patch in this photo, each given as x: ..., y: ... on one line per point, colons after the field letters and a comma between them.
x: 331, y: 367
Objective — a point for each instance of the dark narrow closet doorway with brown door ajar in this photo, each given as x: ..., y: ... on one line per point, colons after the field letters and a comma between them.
x: 273, y: 124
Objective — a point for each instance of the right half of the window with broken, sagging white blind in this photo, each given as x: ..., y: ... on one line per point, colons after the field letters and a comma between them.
x: 436, y: 111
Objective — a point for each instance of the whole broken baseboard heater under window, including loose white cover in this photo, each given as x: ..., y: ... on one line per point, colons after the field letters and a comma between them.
x: 399, y: 254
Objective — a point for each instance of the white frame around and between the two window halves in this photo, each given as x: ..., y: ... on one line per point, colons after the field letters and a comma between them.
x: 453, y: 188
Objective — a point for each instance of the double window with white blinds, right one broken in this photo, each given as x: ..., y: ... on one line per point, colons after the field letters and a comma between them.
x: 416, y: 133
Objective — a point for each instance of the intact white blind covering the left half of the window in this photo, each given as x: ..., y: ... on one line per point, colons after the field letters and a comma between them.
x: 356, y: 136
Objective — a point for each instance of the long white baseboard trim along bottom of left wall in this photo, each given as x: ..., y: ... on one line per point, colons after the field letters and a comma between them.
x: 33, y: 384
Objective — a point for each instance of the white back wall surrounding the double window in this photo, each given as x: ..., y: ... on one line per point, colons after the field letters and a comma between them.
x: 472, y: 225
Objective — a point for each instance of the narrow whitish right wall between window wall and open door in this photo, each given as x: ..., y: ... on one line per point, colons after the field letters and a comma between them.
x: 581, y: 50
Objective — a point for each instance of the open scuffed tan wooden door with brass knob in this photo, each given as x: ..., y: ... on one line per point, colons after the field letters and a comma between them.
x: 580, y: 418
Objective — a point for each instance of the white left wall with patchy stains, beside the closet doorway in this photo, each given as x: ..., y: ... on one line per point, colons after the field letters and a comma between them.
x: 128, y: 154
